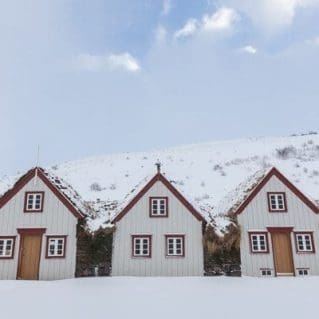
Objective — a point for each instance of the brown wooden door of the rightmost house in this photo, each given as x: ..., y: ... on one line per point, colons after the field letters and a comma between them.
x: 282, y: 252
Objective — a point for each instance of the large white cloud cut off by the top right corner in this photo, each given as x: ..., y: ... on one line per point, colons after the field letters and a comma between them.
x: 273, y: 15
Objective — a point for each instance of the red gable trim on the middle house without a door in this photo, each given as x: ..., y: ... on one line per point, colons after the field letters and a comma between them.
x: 176, y: 193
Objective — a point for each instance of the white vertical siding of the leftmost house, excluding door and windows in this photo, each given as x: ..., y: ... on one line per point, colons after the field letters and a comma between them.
x: 57, y: 220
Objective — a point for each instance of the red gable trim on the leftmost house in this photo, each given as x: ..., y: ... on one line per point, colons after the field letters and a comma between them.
x: 26, y: 178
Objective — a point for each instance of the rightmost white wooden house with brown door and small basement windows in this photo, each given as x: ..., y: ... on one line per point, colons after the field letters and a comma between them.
x: 279, y: 228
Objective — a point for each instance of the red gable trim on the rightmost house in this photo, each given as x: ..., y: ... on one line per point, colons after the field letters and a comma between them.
x: 274, y: 172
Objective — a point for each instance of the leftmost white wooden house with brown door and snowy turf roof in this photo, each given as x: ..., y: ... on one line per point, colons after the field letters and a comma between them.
x: 38, y: 226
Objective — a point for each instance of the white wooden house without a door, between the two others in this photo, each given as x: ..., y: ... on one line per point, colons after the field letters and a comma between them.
x: 158, y: 233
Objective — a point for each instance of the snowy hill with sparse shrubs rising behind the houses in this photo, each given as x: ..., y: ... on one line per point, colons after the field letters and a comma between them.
x: 205, y: 173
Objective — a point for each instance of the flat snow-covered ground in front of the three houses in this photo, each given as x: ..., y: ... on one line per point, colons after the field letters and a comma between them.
x: 187, y: 298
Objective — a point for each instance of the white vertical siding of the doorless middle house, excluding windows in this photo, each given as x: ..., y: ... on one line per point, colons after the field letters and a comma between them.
x: 137, y: 221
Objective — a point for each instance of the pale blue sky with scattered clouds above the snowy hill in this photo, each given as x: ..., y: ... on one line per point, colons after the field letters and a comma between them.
x: 92, y: 77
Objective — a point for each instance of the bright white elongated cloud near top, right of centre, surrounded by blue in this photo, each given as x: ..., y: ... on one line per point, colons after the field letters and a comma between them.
x: 223, y: 19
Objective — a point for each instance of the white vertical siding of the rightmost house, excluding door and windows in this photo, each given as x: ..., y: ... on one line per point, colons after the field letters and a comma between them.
x: 256, y: 217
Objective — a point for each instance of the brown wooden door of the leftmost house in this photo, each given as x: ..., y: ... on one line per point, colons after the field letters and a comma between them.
x: 29, y: 257
